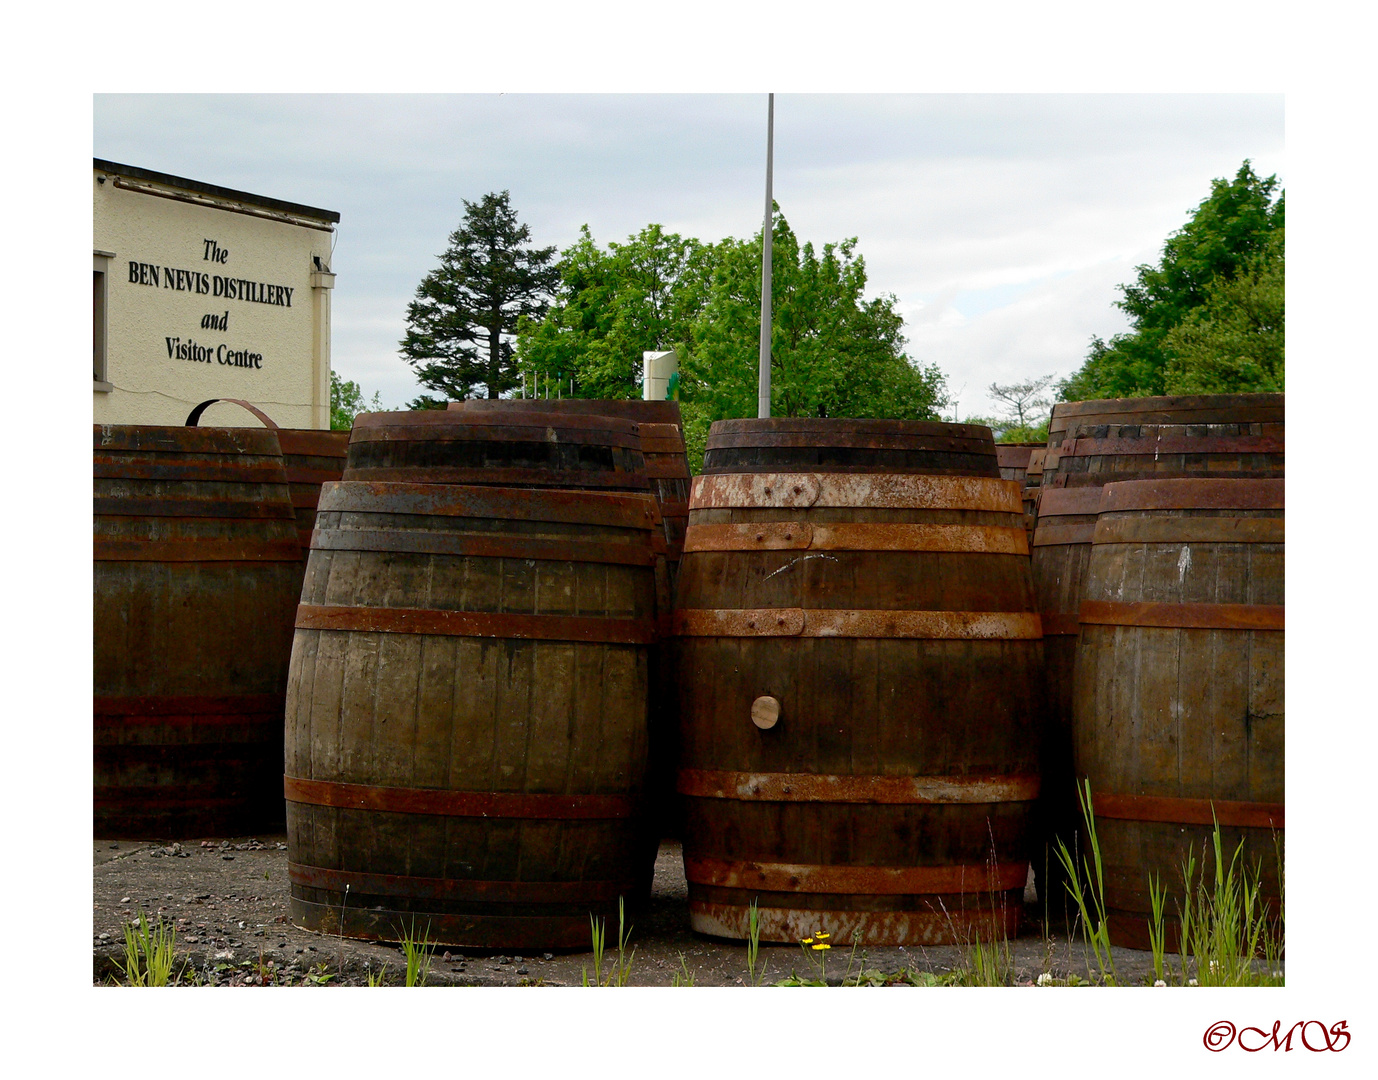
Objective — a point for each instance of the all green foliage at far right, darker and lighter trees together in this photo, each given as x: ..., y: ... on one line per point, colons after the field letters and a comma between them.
x: 1224, y: 242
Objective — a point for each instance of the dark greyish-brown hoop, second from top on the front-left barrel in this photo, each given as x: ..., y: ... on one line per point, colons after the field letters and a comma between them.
x: 486, y: 546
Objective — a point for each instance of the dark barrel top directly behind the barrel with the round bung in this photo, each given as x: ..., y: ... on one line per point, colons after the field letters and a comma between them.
x: 826, y: 446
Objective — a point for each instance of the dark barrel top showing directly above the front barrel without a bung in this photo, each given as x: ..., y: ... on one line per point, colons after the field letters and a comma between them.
x: 538, y: 450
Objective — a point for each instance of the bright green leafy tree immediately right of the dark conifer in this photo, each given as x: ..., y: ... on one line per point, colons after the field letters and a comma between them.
x: 611, y: 308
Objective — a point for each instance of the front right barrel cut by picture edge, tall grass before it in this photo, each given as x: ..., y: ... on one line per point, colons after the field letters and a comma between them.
x: 1179, y: 691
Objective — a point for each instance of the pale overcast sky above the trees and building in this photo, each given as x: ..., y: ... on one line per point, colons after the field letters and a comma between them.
x: 1002, y: 224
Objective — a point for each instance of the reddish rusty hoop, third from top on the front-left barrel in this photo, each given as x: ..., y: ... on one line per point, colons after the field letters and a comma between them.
x: 477, y: 625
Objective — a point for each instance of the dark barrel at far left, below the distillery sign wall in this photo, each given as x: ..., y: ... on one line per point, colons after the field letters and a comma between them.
x: 196, y: 578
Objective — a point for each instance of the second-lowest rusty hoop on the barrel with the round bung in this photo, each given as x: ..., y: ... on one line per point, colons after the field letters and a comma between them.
x: 874, y: 881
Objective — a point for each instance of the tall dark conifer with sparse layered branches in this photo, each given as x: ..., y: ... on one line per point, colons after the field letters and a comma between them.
x: 462, y: 324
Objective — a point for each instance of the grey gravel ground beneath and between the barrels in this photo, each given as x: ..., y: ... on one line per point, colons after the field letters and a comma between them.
x: 229, y: 903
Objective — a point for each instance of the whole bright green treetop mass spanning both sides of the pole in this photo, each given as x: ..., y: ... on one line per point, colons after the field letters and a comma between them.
x: 833, y: 352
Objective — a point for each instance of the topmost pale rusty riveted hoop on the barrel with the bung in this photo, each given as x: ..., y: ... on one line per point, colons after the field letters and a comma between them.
x: 899, y: 491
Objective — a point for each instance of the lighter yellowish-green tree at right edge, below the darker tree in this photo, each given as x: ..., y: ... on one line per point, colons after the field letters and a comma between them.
x: 1235, y: 342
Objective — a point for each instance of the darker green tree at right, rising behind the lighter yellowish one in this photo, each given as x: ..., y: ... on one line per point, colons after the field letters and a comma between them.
x: 1223, y: 240
